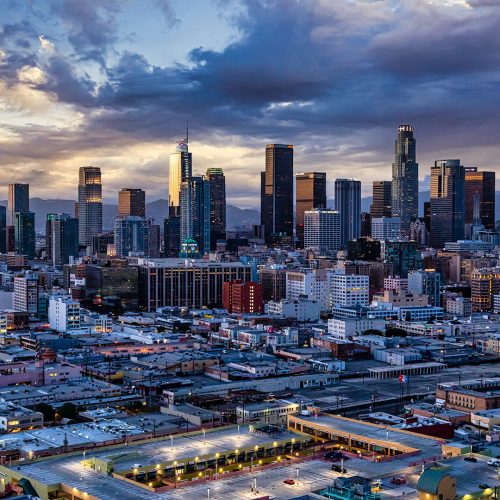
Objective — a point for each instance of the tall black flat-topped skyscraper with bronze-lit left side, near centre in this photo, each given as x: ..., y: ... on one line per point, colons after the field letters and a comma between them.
x: 277, y: 194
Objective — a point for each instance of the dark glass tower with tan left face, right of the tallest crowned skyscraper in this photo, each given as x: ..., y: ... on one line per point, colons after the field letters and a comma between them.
x: 447, y: 202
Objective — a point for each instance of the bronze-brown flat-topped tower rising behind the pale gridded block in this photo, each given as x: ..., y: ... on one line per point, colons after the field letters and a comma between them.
x: 310, y: 193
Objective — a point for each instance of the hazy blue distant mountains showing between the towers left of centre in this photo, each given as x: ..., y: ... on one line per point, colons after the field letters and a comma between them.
x: 158, y: 210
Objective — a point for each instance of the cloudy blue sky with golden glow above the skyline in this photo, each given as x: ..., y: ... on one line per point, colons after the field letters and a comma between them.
x: 112, y: 83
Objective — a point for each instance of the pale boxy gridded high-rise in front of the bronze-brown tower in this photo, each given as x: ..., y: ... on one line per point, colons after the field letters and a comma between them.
x: 322, y: 230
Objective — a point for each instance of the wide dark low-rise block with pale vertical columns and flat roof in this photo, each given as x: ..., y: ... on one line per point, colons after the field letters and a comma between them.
x: 186, y: 283
